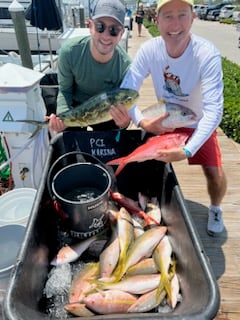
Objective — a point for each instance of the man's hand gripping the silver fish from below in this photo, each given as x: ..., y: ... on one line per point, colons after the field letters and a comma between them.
x: 155, y: 125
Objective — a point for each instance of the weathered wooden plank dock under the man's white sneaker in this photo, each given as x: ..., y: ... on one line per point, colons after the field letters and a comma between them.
x: 223, y: 251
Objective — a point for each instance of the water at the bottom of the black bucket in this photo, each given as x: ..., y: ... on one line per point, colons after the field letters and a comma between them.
x: 83, y: 194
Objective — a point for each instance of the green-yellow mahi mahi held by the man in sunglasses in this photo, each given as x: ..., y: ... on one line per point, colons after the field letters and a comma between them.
x: 93, y: 111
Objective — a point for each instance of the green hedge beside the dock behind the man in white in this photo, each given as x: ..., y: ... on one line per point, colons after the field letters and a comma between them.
x: 231, y: 78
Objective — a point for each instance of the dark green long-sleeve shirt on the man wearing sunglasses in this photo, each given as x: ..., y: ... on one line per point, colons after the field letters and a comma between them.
x: 80, y: 77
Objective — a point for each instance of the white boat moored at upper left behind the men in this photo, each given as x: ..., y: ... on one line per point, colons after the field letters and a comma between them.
x: 75, y: 15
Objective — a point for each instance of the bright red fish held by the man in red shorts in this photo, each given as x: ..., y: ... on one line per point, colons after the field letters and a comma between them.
x: 149, y: 149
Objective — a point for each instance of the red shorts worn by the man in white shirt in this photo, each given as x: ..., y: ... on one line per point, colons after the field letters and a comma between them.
x: 209, y: 155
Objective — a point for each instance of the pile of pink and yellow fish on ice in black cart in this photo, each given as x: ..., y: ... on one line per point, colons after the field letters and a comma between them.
x: 136, y: 268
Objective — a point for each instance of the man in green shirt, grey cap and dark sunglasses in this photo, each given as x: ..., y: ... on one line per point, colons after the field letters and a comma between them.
x: 93, y: 64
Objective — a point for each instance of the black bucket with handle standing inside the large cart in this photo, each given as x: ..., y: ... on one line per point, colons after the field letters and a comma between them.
x: 81, y: 191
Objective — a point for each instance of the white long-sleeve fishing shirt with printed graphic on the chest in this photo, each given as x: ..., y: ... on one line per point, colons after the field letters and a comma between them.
x: 194, y: 80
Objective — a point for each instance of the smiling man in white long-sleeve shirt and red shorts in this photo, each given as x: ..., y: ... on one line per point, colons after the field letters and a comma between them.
x: 186, y: 69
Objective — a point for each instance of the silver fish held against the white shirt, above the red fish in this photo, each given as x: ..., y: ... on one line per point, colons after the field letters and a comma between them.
x: 178, y: 115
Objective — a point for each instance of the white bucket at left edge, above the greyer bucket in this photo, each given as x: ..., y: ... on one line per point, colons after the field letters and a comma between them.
x: 16, y: 206
